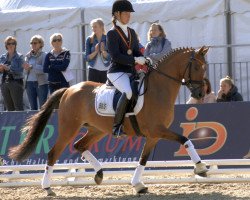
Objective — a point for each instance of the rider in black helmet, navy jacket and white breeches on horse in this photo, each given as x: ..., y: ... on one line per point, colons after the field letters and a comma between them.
x: 123, y: 46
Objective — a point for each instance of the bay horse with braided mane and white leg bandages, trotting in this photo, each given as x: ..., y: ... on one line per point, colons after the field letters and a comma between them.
x: 183, y: 66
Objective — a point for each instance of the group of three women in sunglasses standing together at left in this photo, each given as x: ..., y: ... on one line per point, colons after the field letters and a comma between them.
x: 38, y: 73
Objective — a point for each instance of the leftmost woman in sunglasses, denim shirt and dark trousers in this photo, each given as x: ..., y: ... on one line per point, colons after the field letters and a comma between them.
x: 11, y: 66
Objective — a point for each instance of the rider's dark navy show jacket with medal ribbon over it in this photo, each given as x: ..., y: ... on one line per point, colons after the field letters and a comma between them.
x: 120, y: 60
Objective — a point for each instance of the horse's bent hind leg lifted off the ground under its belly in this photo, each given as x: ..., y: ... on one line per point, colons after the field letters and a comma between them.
x: 92, y: 136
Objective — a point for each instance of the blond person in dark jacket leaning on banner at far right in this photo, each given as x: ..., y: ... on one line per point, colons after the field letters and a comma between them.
x: 228, y: 91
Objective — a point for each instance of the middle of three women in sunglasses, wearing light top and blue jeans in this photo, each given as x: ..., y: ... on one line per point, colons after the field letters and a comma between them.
x: 36, y: 83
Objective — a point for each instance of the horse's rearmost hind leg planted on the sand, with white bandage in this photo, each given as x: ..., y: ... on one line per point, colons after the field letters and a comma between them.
x: 67, y: 133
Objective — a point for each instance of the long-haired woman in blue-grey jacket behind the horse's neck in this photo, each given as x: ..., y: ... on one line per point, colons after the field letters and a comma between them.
x: 158, y: 44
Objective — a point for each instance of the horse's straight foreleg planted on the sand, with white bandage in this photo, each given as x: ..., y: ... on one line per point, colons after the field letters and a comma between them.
x: 136, y: 180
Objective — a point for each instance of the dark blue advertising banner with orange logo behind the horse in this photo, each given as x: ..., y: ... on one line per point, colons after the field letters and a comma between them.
x: 218, y: 131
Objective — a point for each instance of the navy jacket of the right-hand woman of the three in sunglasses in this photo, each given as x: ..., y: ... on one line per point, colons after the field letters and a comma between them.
x: 55, y: 65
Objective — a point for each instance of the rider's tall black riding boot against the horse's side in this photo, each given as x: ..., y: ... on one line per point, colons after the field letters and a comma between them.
x: 119, y: 116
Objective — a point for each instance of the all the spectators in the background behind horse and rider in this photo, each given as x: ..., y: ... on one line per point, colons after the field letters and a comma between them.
x: 40, y: 73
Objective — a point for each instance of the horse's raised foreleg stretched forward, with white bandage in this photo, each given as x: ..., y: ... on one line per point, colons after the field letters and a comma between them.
x: 165, y: 133
